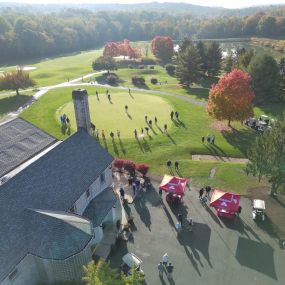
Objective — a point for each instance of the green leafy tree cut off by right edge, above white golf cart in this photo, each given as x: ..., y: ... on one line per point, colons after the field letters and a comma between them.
x: 267, y: 156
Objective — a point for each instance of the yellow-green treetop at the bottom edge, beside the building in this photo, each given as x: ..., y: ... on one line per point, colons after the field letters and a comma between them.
x: 101, y: 273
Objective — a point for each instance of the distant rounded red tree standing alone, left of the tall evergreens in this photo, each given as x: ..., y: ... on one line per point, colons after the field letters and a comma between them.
x: 162, y: 47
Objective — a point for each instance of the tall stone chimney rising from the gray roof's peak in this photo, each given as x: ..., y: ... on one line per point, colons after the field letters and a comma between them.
x: 81, y: 108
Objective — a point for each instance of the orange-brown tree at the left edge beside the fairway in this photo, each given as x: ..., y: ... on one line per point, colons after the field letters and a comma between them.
x: 16, y: 80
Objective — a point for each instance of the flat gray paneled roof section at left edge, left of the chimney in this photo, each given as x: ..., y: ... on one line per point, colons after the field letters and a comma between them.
x: 19, y: 141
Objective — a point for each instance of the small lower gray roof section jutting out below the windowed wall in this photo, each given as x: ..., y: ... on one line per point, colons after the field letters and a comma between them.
x: 100, y: 206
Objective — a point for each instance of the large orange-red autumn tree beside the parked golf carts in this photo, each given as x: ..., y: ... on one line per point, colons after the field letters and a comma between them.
x: 231, y: 98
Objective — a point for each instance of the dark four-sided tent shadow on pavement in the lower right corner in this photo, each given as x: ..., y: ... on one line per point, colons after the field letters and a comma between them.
x: 257, y: 256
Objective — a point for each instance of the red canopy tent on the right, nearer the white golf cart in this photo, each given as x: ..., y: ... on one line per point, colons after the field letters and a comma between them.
x: 226, y: 203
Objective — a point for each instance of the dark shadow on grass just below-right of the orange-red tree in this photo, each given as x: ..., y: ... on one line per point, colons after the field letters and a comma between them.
x: 240, y: 139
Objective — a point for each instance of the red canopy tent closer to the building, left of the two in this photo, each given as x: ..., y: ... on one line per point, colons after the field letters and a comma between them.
x: 174, y: 186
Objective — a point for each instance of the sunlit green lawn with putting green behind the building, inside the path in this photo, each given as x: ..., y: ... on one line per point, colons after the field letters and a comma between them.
x: 183, y: 139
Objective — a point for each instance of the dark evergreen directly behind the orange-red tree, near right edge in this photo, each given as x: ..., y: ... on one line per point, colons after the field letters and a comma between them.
x: 266, y: 79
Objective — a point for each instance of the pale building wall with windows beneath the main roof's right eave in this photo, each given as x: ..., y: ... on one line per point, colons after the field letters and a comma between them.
x: 95, y: 188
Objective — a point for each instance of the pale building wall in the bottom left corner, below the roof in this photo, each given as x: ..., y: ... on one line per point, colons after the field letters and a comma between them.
x: 28, y: 272
